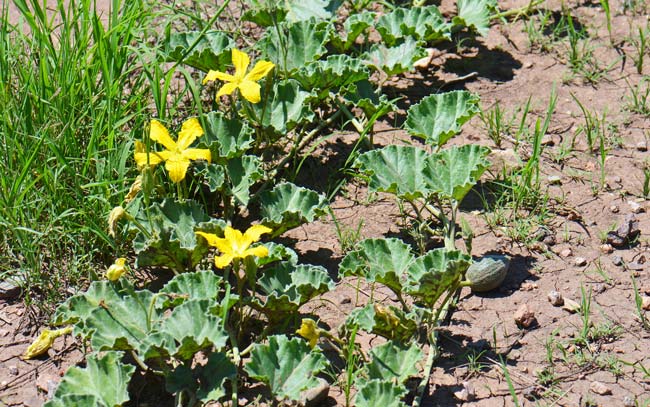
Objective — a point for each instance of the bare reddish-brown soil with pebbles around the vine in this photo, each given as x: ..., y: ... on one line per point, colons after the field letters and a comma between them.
x: 503, y: 68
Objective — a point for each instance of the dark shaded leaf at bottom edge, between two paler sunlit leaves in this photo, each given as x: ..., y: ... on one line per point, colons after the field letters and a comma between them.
x: 206, y: 381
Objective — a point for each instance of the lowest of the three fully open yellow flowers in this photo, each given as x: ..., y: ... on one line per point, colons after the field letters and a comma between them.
x: 235, y: 245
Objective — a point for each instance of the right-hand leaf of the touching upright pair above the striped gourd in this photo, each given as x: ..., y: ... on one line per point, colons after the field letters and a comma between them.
x: 456, y: 170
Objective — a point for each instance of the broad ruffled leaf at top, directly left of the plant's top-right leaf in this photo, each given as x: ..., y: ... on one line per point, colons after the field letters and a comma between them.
x: 421, y: 23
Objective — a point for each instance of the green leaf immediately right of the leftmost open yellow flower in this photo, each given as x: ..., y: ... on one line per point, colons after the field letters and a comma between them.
x: 226, y: 138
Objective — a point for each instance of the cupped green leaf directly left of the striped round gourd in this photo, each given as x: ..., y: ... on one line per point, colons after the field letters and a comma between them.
x: 434, y: 273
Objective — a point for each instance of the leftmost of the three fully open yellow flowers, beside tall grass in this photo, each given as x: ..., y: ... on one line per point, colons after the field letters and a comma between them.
x: 177, y: 155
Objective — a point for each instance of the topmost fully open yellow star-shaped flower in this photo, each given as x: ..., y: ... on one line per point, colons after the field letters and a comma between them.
x: 245, y: 82
